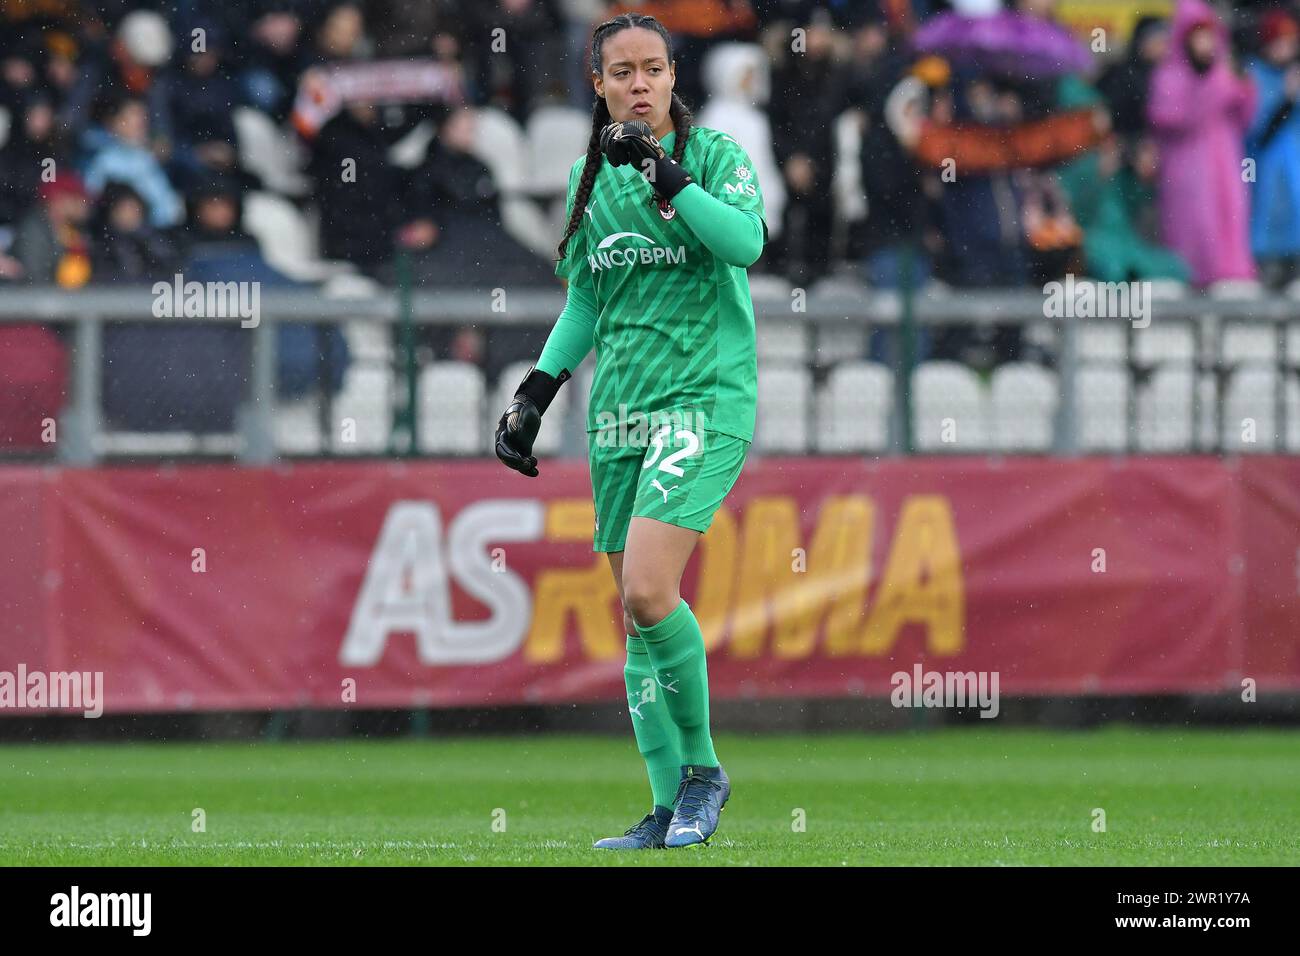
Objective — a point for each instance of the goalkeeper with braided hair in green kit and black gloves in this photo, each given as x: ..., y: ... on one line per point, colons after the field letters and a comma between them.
x: 664, y: 220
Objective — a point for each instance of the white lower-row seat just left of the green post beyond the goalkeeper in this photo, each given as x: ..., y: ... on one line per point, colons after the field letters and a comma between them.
x: 853, y: 409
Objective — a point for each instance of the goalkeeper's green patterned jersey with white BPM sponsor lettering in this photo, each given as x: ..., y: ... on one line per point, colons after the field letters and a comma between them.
x: 675, y: 325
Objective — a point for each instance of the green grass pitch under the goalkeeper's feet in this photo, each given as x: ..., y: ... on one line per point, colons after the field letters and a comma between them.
x: 931, y: 798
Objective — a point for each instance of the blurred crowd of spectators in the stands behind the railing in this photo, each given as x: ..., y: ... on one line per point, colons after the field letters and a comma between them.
x: 1175, y: 158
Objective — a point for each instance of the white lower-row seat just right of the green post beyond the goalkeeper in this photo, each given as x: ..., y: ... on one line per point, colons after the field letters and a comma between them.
x: 948, y: 403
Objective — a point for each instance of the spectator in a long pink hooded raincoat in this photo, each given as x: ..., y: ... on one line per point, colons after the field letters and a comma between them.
x: 1201, y: 109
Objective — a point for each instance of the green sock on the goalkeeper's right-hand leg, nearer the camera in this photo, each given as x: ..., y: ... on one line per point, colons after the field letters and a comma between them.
x: 677, y: 650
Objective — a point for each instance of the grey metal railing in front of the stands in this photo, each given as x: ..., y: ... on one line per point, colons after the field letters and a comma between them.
x: 89, y: 310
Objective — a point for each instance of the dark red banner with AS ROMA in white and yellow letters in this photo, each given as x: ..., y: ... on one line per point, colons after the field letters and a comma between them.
x: 383, y: 585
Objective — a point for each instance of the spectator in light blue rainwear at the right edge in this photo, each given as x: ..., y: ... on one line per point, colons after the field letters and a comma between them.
x: 1275, y: 144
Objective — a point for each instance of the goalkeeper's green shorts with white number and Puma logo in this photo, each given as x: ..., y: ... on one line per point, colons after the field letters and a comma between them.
x: 679, y: 477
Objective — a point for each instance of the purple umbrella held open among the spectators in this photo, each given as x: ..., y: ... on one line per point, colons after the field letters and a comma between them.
x: 1012, y: 45
